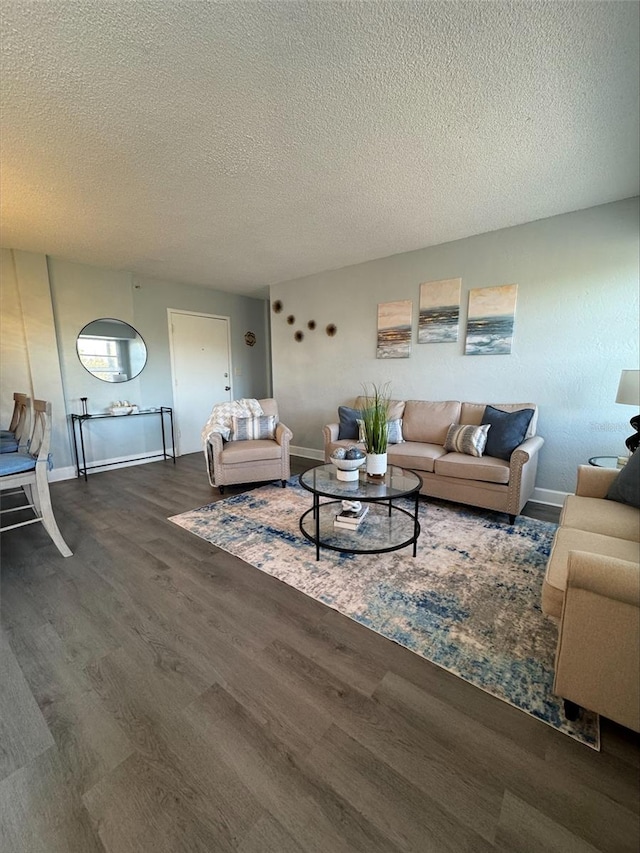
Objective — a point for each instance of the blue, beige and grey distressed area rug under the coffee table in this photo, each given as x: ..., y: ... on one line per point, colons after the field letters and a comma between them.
x: 468, y: 602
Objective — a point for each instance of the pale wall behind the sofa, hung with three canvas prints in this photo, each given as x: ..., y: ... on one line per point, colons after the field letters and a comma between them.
x: 576, y: 329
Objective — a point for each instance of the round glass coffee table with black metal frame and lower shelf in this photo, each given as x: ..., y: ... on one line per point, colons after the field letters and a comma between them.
x: 386, y: 526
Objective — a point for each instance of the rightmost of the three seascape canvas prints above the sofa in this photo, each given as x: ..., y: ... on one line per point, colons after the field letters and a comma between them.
x: 492, y: 312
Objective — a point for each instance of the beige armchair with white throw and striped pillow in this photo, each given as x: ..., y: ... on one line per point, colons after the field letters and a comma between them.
x: 250, y: 461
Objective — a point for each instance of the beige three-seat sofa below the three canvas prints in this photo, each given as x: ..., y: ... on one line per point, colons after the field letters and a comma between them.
x: 496, y: 484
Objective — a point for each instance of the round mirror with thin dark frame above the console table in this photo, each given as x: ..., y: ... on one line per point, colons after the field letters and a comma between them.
x: 111, y: 350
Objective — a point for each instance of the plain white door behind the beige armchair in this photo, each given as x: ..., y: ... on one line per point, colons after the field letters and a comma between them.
x: 201, y: 367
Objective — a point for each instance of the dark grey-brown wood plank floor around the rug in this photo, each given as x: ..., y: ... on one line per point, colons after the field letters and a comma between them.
x: 157, y: 694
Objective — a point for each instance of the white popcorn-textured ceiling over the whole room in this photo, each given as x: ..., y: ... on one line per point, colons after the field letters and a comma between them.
x: 241, y: 144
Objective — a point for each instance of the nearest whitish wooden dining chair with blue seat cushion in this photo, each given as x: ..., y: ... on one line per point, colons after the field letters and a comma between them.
x: 27, y: 471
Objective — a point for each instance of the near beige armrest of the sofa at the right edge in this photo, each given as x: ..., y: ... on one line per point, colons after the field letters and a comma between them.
x: 599, y: 642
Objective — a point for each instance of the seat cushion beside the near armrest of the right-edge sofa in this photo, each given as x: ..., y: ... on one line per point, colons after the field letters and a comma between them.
x: 569, y: 539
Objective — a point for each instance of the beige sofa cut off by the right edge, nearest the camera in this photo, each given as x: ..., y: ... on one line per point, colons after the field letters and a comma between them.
x: 592, y: 588
